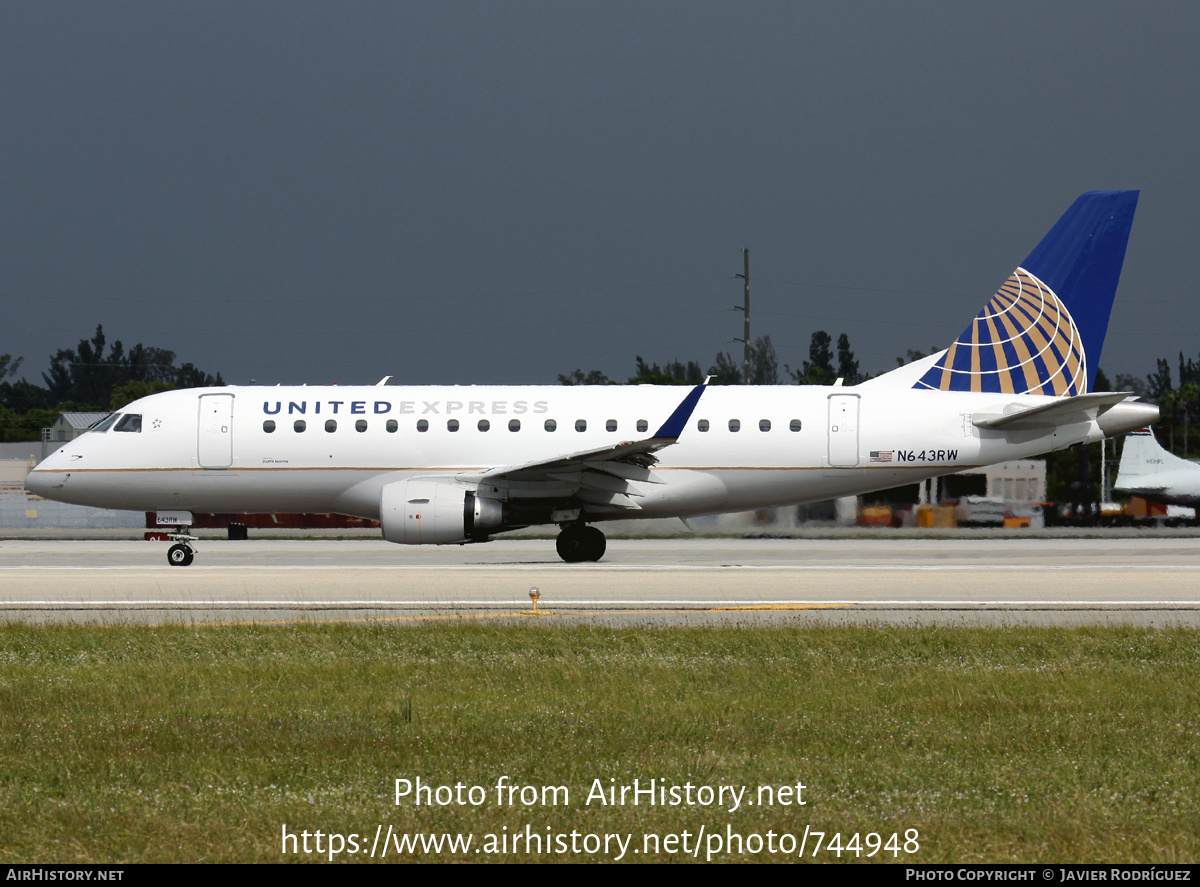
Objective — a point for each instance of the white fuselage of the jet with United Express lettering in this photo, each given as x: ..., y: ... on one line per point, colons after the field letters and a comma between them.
x: 243, y: 450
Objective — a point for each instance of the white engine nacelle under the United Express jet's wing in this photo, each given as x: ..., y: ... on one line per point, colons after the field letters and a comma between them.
x: 434, y: 513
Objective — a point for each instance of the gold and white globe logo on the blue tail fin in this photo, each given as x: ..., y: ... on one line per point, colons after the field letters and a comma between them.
x: 1024, y: 341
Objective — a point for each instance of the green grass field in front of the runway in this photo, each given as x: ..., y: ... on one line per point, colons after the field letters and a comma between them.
x: 178, y: 744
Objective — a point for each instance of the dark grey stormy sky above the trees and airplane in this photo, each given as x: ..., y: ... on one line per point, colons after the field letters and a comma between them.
x: 479, y: 193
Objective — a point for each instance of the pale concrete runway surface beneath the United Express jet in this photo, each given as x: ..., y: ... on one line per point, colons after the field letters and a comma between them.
x: 766, y: 582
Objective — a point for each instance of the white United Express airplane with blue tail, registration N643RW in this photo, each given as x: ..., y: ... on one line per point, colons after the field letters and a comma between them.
x: 454, y: 465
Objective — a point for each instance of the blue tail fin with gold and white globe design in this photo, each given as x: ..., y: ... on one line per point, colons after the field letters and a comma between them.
x: 1045, y: 329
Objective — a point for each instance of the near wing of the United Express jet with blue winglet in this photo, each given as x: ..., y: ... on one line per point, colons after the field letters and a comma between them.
x: 605, y: 476
